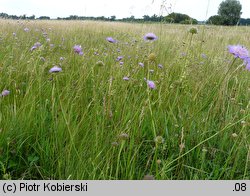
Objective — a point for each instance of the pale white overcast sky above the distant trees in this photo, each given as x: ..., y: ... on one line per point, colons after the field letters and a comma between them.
x: 120, y: 8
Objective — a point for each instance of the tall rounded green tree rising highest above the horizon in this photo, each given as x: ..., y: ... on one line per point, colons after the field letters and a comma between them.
x: 230, y: 12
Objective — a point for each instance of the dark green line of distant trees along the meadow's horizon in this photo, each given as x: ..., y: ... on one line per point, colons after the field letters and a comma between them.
x: 229, y: 13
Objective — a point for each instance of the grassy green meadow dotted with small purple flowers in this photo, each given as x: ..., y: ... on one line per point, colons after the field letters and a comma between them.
x: 117, y: 106
